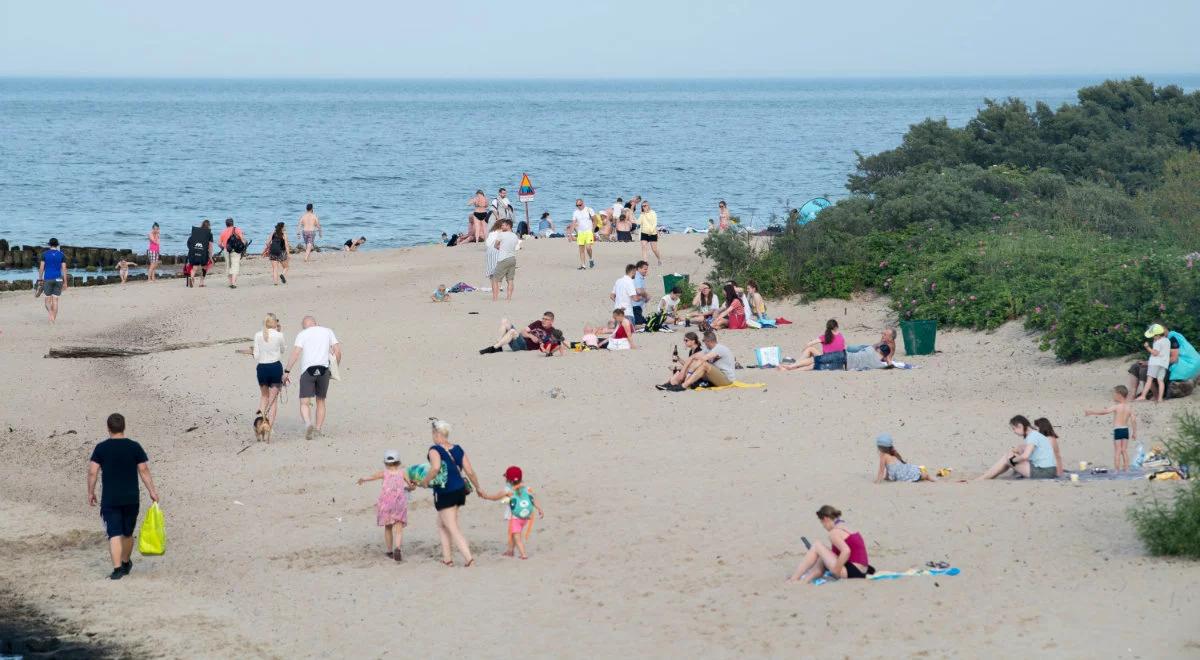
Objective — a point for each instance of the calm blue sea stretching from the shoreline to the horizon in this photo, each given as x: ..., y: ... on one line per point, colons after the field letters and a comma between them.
x: 97, y: 163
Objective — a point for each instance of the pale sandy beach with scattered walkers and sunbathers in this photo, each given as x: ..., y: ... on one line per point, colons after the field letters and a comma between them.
x: 673, y: 520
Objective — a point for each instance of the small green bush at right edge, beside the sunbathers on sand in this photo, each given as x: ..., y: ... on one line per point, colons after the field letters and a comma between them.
x: 1173, y: 529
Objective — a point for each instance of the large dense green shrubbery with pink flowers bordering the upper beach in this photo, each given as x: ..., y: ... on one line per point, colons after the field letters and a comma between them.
x: 1076, y: 220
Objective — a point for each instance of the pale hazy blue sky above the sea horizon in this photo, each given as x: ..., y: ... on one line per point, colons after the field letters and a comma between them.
x: 605, y: 39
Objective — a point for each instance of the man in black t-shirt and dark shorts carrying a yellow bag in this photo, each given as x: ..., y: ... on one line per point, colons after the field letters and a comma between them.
x: 119, y: 461
